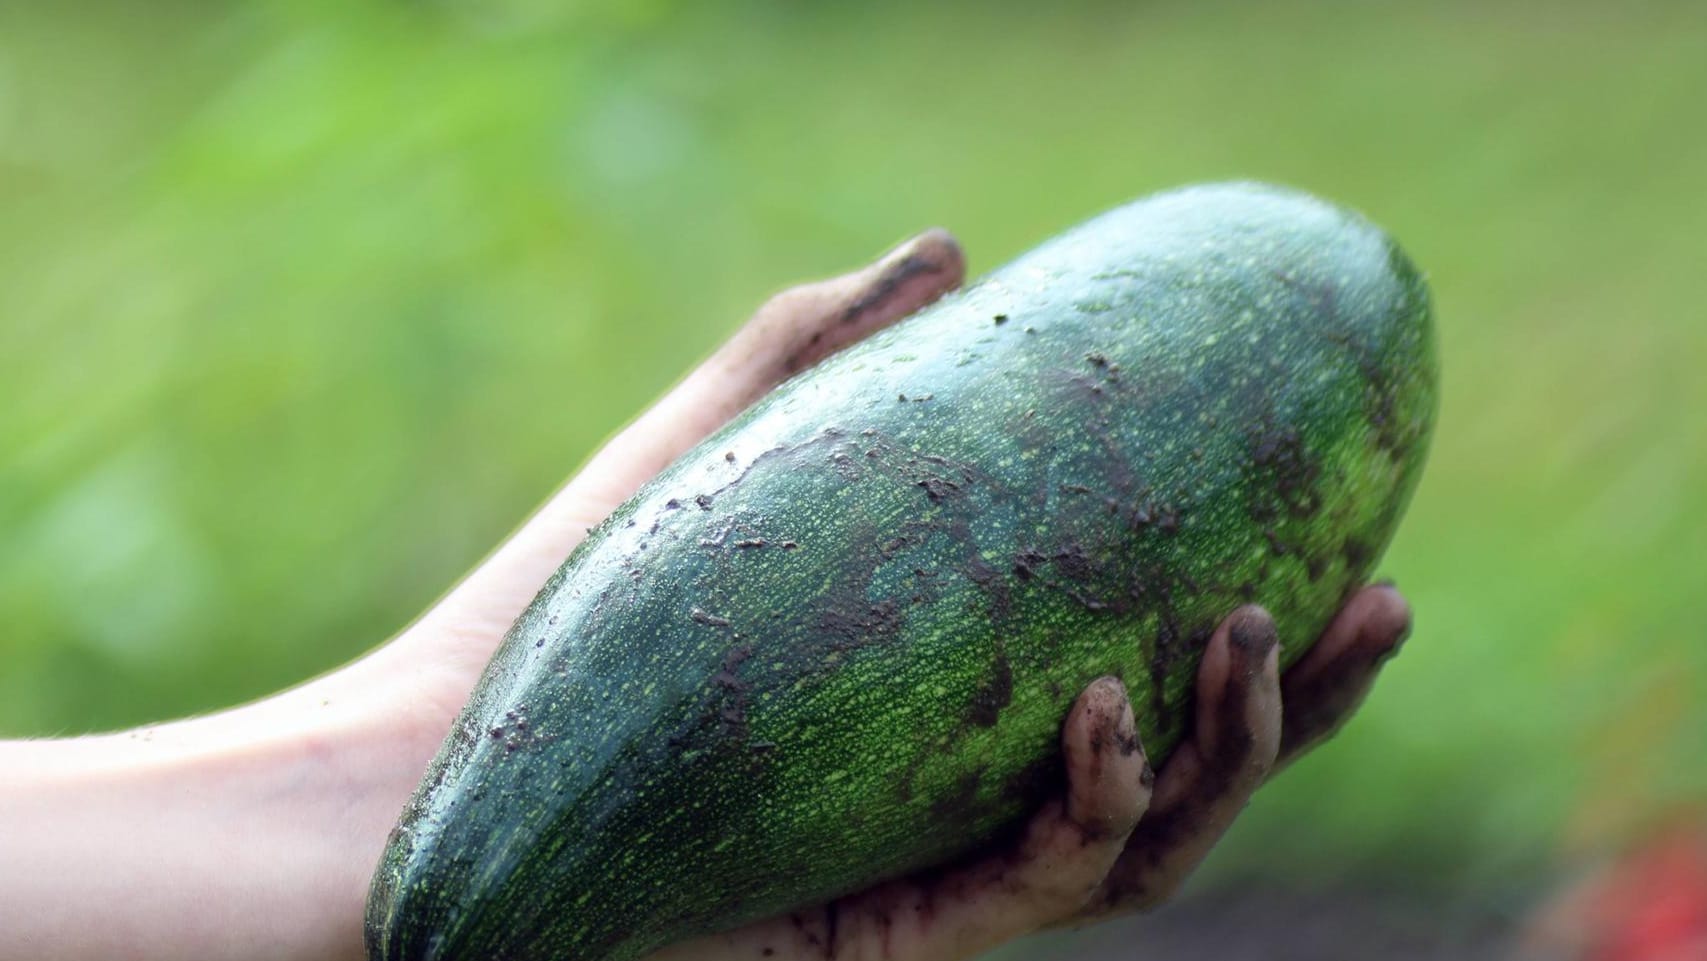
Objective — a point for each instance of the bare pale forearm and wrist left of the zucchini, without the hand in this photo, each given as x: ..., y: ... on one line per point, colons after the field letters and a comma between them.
x: 247, y: 836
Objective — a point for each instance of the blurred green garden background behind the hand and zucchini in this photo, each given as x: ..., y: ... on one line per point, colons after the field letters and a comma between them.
x: 306, y: 305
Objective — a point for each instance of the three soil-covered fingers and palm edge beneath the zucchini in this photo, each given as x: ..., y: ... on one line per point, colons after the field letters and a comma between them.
x: 1121, y: 839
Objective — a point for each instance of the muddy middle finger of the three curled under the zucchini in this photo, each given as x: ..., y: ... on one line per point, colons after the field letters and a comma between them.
x: 1211, y: 776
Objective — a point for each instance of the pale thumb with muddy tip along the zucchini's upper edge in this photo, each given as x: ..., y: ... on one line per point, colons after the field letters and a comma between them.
x: 791, y: 332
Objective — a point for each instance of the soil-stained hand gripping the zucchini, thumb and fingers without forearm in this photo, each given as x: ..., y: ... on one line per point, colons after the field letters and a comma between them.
x: 1109, y: 842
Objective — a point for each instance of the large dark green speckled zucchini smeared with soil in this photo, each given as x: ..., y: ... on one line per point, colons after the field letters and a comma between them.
x: 836, y: 643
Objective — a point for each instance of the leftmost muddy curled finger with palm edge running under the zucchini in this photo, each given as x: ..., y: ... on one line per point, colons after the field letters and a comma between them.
x: 962, y: 911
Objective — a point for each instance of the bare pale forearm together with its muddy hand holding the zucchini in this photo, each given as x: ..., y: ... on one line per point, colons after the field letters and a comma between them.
x: 253, y: 832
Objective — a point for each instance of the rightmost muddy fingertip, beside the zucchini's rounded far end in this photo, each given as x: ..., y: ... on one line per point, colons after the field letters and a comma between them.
x: 1327, y: 685
